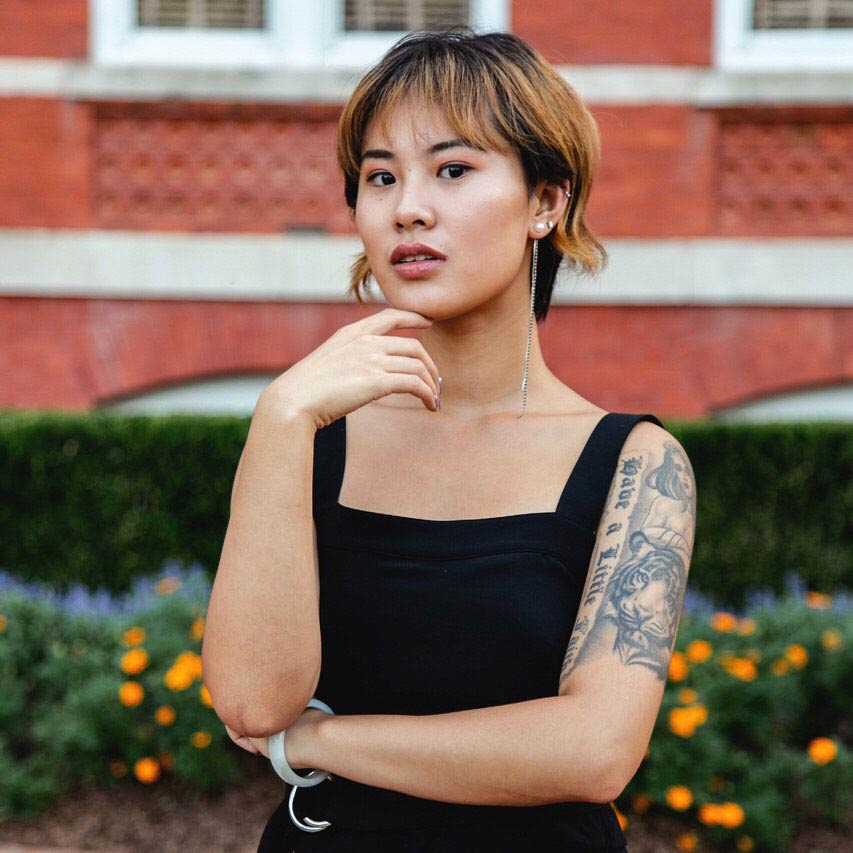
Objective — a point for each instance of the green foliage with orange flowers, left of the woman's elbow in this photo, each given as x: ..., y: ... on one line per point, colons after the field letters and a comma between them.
x: 61, y: 717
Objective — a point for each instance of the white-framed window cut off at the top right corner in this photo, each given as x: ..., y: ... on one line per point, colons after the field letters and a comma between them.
x: 784, y: 35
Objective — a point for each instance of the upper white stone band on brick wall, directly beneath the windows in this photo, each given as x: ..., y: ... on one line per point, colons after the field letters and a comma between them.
x: 596, y: 84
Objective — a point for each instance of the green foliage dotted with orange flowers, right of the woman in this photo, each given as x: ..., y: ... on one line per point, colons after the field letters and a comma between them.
x: 776, y: 682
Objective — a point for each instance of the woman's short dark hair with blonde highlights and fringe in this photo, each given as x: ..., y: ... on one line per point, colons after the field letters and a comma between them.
x: 498, y: 93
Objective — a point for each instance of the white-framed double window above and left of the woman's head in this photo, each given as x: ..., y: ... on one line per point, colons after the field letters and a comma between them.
x: 271, y: 33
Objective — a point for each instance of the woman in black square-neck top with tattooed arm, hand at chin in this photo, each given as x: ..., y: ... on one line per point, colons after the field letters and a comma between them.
x: 497, y: 614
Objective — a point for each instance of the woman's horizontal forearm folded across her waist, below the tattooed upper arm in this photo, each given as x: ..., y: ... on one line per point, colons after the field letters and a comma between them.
x: 523, y: 754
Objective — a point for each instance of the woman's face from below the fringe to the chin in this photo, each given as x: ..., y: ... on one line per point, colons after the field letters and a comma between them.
x: 470, y: 205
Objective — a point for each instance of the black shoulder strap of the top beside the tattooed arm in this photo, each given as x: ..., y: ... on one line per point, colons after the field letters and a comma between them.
x: 586, y: 491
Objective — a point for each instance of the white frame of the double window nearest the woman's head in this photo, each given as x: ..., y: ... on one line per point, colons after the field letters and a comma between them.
x: 297, y: 34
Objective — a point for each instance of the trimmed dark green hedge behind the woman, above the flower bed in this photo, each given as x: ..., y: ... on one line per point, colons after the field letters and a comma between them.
x: 100, y: 498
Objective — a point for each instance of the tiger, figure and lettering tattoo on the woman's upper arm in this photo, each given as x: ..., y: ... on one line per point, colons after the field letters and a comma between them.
x: 635, y: 589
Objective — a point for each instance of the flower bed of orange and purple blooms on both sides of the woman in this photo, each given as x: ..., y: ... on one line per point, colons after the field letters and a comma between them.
x: 752, y: 739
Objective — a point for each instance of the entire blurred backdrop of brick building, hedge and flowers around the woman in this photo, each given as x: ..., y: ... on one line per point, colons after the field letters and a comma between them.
x: 173, y: 236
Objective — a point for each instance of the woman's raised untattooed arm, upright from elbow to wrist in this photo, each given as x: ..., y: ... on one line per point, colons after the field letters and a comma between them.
x: 261, y: 650
